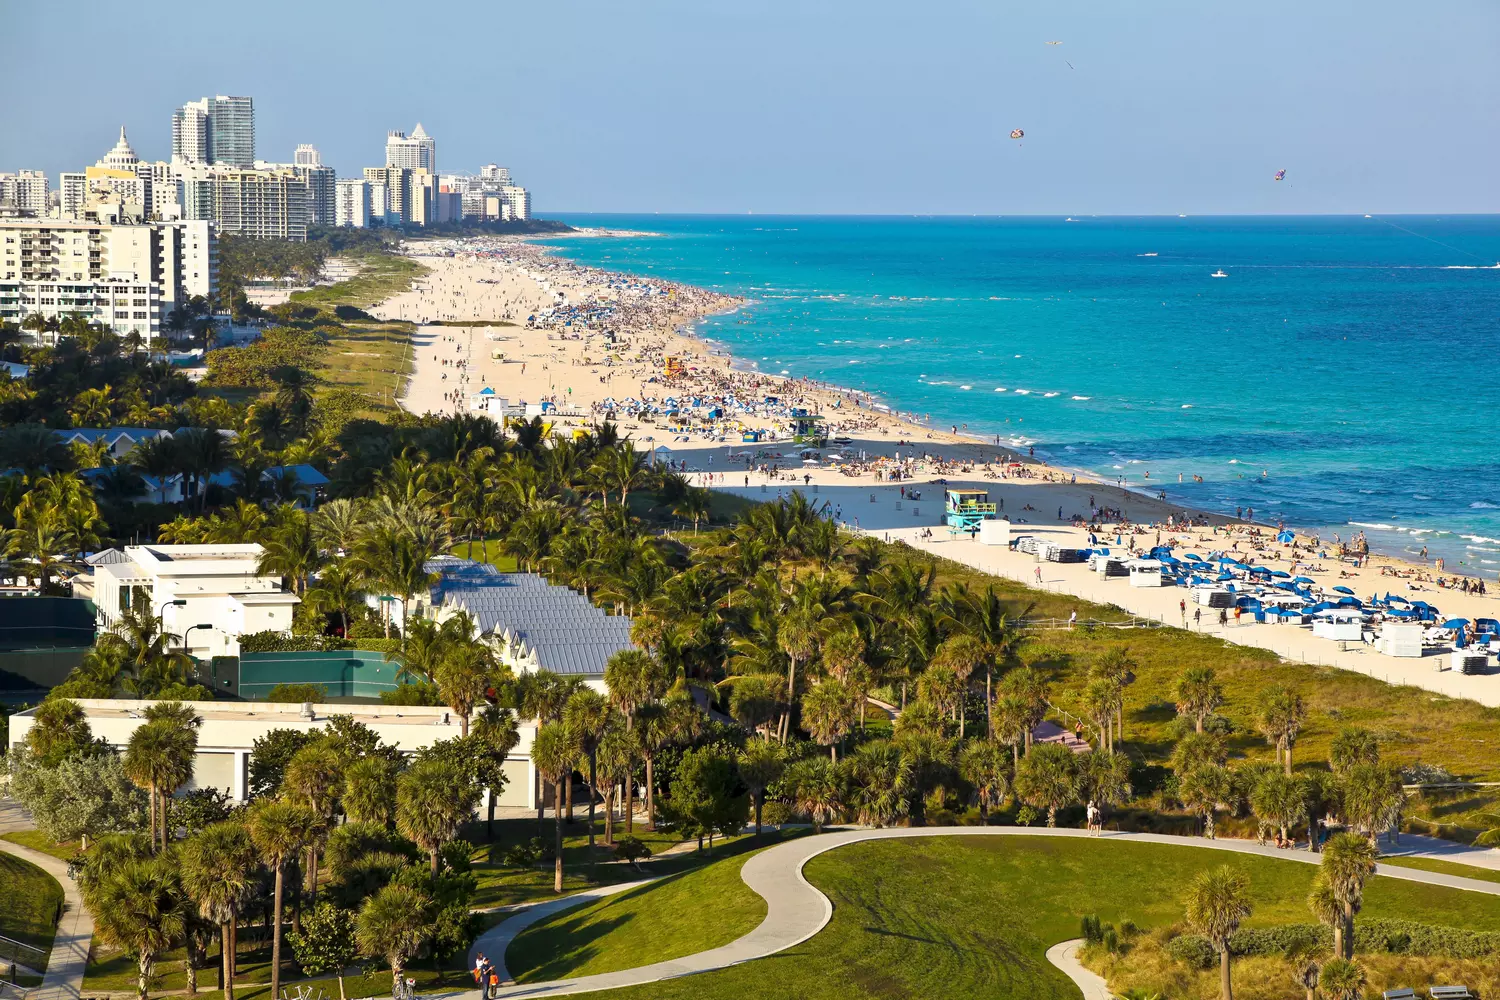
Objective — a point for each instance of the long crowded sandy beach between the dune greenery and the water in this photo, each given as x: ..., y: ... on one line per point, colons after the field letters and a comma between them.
x: 589, y: 346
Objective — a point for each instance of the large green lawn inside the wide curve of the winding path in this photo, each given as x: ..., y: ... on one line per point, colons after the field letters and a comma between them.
x: 970, y: 918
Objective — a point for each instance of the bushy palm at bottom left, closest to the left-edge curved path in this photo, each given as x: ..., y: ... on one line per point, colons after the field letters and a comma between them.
x: 139, y: 908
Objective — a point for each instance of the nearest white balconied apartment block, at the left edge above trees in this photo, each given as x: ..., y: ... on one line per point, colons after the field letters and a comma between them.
x: 127, y: 277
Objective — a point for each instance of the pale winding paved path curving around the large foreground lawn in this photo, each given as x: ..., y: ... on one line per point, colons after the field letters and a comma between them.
x: 796, y: 911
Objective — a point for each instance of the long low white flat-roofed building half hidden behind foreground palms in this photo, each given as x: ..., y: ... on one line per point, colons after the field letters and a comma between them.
x: 230, y: 731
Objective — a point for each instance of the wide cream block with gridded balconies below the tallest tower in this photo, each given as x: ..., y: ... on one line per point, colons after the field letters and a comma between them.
x: 269, y: 205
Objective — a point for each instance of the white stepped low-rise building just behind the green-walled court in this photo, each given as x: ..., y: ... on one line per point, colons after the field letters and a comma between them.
x: 208, y: 596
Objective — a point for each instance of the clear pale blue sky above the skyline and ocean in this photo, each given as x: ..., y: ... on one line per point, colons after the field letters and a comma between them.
x: 808, y: 106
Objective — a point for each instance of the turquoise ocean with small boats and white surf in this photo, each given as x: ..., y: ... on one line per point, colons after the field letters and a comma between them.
x: 1343, y: 376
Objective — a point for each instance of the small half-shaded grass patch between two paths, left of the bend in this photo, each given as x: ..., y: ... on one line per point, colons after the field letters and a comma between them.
x: 641, y: 927
